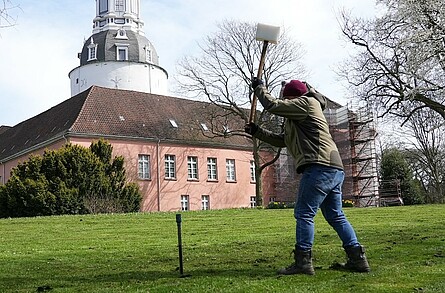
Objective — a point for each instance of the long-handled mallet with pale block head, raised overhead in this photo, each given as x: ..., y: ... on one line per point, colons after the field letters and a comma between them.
x: 267, y: 34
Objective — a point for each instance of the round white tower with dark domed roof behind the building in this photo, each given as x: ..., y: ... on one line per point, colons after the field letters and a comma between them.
x: 117, y: 54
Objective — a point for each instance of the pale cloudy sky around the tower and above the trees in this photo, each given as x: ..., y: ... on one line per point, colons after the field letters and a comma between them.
x: 37, y: 54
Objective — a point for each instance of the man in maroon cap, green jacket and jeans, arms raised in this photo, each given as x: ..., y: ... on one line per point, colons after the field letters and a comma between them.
x: 306, y: 137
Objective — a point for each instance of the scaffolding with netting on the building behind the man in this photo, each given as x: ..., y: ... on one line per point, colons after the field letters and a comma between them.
x: 353, y: 130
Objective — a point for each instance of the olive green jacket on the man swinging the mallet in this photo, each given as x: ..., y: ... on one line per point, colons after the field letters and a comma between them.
x: 306, y: 131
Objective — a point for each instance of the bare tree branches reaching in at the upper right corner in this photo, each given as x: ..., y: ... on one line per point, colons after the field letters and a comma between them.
x: 401, y: 63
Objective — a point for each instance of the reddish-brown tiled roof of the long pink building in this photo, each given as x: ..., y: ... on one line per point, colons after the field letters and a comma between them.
x: 123, y: 114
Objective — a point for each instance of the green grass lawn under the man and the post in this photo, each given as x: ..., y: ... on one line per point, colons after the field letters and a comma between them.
x: 224, y: 251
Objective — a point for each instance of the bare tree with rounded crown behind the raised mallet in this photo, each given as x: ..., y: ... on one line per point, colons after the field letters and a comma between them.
x: 222, y: 75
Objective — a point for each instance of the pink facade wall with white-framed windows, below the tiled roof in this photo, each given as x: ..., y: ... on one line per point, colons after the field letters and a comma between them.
x: 177, y: 177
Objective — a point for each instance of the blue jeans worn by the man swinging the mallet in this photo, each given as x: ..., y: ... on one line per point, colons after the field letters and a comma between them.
x: 320, y: 187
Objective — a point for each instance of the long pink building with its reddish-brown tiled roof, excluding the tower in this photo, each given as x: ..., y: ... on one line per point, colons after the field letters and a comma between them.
x: 177, y: 168
